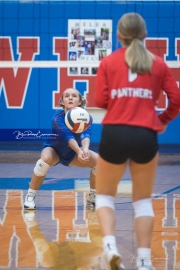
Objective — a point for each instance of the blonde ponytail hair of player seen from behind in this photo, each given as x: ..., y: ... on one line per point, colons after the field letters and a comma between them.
x: 132, y: 29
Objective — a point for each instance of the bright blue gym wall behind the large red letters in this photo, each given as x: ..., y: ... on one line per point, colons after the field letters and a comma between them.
x: 49, y: 19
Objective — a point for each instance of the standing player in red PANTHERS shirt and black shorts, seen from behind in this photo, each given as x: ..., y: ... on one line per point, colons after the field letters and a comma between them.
x: 128, y: 85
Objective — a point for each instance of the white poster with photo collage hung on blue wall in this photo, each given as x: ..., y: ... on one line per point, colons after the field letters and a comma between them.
x: 88, y: 41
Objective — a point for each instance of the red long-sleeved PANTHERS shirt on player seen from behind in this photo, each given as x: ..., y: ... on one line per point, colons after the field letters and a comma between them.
x: 131, y: 99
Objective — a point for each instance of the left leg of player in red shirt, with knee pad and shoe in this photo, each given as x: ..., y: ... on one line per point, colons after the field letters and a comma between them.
x: 107, y: 178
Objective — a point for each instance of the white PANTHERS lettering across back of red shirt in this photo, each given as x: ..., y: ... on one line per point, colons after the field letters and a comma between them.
x: 131, y: 92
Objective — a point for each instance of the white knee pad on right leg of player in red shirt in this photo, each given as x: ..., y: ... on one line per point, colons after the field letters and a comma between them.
x: 143, y: 208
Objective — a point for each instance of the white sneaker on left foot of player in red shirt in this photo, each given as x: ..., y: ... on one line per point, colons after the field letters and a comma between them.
x: 113, y: 259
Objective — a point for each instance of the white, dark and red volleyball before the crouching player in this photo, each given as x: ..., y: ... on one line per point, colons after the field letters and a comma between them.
x: 77, y: 120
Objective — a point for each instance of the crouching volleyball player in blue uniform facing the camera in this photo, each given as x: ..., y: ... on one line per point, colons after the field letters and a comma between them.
x: 67, y: 148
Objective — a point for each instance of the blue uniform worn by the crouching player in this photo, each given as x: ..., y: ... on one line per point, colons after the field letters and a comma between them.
x: 61, y: 141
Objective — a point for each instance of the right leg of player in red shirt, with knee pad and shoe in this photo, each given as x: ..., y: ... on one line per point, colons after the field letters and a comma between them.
x: 143, y: 176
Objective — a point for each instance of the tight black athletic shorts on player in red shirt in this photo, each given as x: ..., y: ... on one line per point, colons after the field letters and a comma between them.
x: 122, y: 142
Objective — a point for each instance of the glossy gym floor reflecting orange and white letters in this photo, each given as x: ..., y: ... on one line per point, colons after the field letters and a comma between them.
x: 63, y: 235
